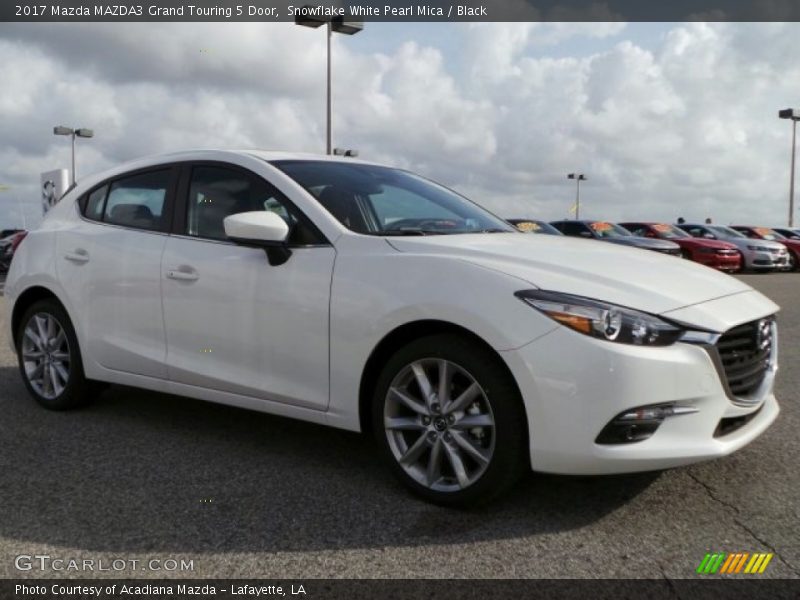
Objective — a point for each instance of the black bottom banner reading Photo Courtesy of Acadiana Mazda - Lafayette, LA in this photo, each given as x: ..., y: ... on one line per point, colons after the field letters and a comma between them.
x: 461, y: 589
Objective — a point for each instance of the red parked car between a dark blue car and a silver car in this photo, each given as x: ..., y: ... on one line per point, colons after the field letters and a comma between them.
x: 712, y: 253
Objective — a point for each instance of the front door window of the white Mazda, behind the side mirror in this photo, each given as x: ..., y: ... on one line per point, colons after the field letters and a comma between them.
x: 218, y: 192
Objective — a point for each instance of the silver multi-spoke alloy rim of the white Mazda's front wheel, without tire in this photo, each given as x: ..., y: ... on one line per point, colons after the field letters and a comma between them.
x: 439, y: 424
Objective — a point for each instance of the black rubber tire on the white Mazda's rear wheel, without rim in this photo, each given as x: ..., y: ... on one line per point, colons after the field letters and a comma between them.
x: 77, y: 391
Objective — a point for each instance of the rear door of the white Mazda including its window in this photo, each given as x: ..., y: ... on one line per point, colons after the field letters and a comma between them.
x: 109, y: 261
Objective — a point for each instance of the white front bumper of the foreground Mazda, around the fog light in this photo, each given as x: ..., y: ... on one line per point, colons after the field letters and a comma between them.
x: 573, y: 386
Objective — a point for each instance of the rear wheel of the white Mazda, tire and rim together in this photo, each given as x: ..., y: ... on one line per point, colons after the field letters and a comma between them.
x: 49, y: 358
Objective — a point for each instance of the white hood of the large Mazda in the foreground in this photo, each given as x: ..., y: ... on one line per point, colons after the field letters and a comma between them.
x: 647, y: 281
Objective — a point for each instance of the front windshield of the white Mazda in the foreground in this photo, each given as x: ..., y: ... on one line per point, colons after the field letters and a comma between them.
x: 383, y: 201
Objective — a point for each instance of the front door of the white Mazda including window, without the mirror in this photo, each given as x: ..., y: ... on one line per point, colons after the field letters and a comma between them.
x: 235, y: 323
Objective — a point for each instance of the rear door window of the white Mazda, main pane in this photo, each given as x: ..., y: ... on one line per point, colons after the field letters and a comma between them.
x: 138, y: 201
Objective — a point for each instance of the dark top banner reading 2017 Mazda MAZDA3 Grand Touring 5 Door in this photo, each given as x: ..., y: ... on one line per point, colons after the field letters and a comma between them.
x: 399, y: 10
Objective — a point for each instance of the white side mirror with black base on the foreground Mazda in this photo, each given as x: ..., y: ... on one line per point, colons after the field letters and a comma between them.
x: 260, y: 229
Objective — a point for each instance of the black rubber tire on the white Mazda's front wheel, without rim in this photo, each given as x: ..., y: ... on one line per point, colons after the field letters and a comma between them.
x: 509, y: 456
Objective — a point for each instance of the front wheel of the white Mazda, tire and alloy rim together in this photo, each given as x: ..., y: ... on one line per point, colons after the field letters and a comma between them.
x: 450, y: 420
